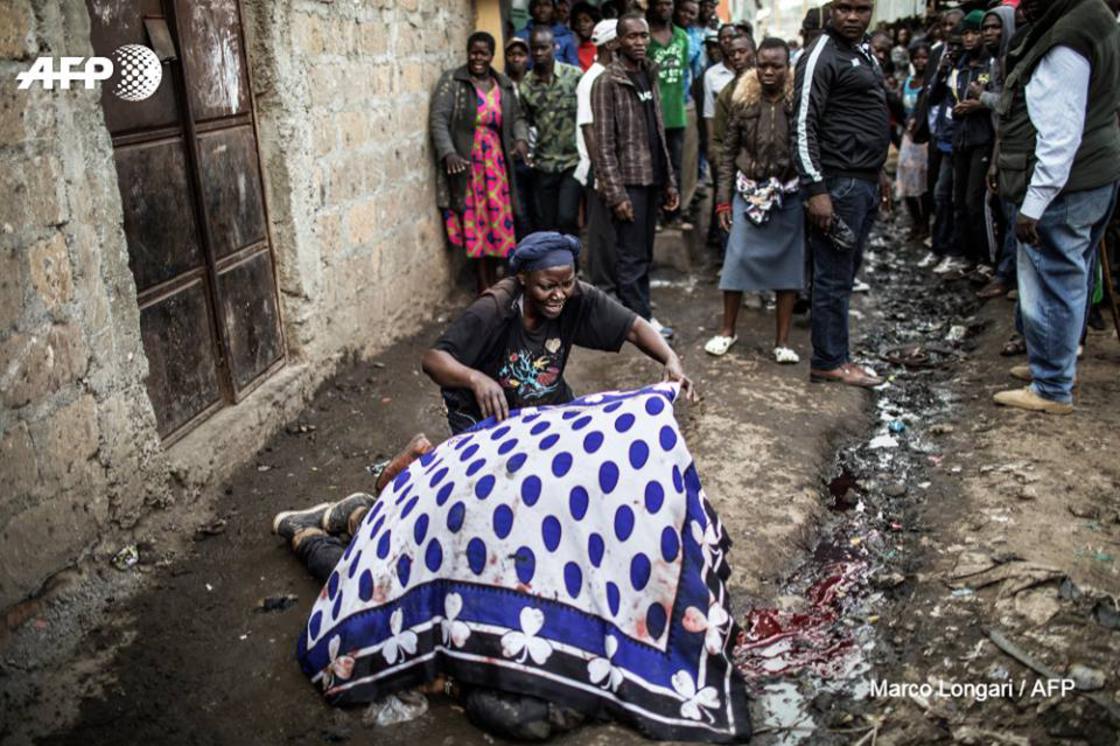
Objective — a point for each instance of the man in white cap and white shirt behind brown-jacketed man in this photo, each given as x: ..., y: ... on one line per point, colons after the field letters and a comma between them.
x: 601, y: 236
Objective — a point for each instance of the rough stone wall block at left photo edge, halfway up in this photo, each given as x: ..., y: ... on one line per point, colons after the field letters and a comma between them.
x: 39, y: 365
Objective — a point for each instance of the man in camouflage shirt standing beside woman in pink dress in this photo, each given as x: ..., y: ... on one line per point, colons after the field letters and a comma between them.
x: 548, y: 97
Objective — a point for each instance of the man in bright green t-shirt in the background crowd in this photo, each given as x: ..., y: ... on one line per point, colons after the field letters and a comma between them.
x: 669, y: 50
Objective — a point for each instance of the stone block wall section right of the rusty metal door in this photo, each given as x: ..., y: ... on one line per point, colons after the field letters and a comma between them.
x: 342, y: 97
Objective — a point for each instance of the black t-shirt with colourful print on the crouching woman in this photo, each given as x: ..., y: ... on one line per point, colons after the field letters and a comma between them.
x: 491, y: 338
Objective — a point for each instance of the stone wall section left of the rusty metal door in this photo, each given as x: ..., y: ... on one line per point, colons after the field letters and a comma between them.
x: 79, y: 453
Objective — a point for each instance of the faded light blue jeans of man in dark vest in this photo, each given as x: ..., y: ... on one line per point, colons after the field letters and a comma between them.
x: 1054, y: 281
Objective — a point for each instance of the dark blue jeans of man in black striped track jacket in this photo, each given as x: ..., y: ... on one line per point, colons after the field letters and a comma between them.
x: 855, y: 202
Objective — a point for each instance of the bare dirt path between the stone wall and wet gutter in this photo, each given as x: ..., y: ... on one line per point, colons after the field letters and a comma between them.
x: 191, y: 660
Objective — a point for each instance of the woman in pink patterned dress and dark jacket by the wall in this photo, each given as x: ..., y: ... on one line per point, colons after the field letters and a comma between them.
x: 478, y: 126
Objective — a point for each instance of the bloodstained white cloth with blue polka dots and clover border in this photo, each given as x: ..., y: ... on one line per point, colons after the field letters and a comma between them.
x: 568, y: 553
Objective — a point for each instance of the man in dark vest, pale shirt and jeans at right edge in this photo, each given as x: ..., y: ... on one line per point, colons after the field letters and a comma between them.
x: 1059, y: 163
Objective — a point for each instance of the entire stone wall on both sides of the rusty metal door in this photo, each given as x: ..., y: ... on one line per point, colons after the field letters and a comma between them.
x: 342, y: 92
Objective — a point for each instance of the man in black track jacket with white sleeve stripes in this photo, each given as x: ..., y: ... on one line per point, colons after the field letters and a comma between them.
x: 842, y: 135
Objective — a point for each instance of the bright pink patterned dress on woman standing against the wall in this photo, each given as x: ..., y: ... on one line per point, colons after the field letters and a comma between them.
x: 486, y: 228
